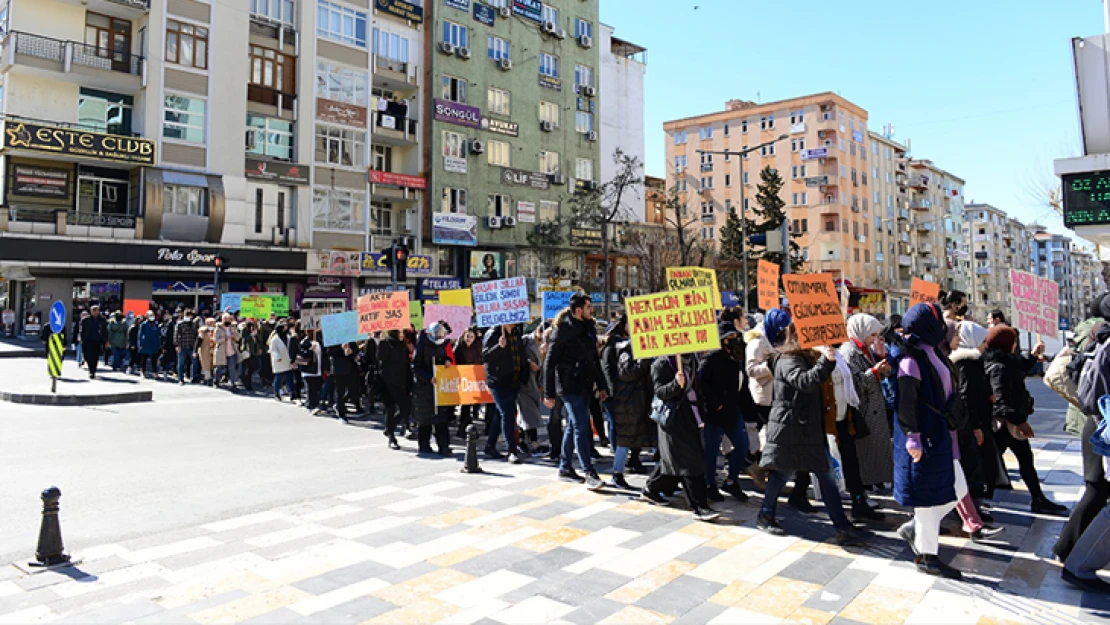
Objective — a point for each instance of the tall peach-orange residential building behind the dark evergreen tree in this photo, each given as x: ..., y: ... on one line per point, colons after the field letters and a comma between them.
x: 823, y: 159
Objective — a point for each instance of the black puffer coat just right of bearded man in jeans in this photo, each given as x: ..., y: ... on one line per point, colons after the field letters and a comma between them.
x: 630, y: 381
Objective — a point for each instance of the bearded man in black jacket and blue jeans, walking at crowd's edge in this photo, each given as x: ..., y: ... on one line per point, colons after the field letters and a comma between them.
x: 573, y: 370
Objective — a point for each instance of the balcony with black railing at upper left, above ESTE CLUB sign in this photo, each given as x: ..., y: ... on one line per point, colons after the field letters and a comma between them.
x: 80, y: 64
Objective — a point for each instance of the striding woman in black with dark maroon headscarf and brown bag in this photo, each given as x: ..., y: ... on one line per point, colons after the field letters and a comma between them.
x: 1013, y: 406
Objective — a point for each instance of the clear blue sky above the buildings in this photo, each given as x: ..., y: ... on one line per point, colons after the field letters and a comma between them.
x: 984, y: 88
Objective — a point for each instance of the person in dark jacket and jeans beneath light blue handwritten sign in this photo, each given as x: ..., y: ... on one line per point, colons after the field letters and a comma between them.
x: 507, y: 368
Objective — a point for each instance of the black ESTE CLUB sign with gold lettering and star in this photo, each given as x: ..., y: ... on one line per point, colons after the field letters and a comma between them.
x: 79, y: 144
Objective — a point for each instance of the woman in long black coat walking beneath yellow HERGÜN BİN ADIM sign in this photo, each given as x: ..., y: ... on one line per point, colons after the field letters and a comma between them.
x: 682, y: 457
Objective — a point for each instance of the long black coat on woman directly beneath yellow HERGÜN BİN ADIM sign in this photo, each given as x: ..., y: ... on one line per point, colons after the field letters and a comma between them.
x: 681, y: 449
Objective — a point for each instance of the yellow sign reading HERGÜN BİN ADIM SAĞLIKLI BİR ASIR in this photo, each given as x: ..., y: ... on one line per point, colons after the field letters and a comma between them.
x: 677, y: 322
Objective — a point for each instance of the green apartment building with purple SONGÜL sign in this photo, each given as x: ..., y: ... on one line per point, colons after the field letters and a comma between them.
x: 514, y: 132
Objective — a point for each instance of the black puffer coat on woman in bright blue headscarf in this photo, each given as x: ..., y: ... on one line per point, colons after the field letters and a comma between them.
x: 796, y: 440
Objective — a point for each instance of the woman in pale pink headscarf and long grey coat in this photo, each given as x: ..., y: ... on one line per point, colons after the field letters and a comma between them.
x: 873, y: 431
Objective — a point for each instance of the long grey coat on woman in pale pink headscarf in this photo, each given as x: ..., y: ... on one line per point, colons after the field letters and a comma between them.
x: 874, y: 451
